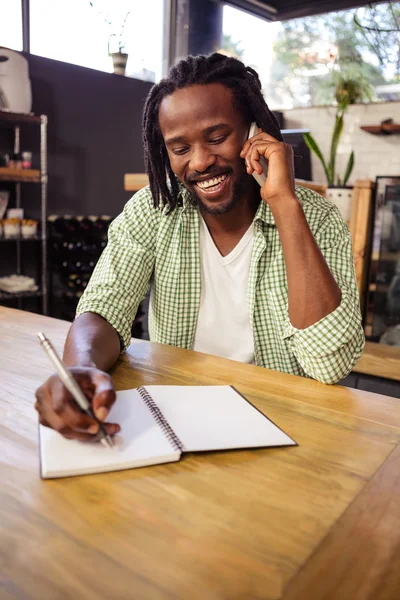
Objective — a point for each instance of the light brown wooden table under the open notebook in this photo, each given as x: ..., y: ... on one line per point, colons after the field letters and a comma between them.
x: 318, y: 521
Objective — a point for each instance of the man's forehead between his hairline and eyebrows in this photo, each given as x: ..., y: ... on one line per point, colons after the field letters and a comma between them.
x: 200, y: 104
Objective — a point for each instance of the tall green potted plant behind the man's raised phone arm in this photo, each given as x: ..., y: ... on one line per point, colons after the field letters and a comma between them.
x: 348, y: 90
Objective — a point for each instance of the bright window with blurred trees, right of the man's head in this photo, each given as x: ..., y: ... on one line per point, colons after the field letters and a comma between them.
x: 305, y: 62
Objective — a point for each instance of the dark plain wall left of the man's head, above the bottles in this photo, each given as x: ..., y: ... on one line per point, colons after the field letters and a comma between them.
x: 94, y: 134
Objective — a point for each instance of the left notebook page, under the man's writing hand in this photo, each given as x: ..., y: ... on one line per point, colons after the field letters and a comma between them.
x: 140, y: 443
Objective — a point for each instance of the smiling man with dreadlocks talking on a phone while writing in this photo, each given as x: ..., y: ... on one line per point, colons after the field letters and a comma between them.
x: 264, y: 276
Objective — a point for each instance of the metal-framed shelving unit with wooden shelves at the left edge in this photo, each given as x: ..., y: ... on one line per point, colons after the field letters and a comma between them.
x: 28, y: 176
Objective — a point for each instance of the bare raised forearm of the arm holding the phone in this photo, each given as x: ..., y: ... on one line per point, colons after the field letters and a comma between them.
x: 312, y: 290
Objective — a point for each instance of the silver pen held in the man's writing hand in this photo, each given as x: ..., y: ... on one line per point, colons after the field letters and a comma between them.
x: 72, y: 386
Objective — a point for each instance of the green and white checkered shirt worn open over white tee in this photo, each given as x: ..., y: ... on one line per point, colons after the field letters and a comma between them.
x: 147, y: 246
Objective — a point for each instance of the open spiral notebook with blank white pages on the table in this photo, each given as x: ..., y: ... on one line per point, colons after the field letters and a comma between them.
x: 158, y: 424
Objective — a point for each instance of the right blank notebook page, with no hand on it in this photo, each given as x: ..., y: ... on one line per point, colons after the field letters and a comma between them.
x: 215, y: 418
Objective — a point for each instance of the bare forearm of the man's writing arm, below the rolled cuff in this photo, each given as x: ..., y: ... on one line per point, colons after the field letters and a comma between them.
x: 91, y: 342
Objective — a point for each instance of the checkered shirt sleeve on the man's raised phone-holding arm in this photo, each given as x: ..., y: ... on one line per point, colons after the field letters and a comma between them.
x: 329, y: 349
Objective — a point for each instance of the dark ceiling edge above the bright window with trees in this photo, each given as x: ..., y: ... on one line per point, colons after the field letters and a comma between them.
x: 281, y: 10
